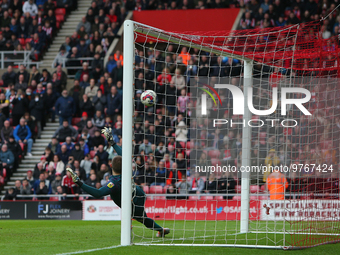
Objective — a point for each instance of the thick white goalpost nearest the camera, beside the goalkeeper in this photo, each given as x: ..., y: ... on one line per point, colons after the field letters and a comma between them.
x: 128, y: 77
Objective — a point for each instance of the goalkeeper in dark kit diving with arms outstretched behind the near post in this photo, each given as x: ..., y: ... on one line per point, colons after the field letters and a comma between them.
x: 113, y: 188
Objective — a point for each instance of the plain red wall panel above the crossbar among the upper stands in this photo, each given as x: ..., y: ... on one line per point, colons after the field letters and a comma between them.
x: 188, y: 20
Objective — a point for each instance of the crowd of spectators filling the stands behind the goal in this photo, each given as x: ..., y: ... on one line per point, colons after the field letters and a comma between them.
x: 170, y: 138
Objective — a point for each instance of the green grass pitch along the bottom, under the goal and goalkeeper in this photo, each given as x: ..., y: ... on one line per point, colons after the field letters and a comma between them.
x: 59, y: 237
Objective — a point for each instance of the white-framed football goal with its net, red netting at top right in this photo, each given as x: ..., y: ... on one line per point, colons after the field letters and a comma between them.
x: 241, y: 148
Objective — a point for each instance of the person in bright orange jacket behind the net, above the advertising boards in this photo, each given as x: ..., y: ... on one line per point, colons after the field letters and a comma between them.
x: 276, y: 185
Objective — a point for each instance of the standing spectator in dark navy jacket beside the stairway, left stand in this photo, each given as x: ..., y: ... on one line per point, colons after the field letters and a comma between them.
x: 65, y: 107
